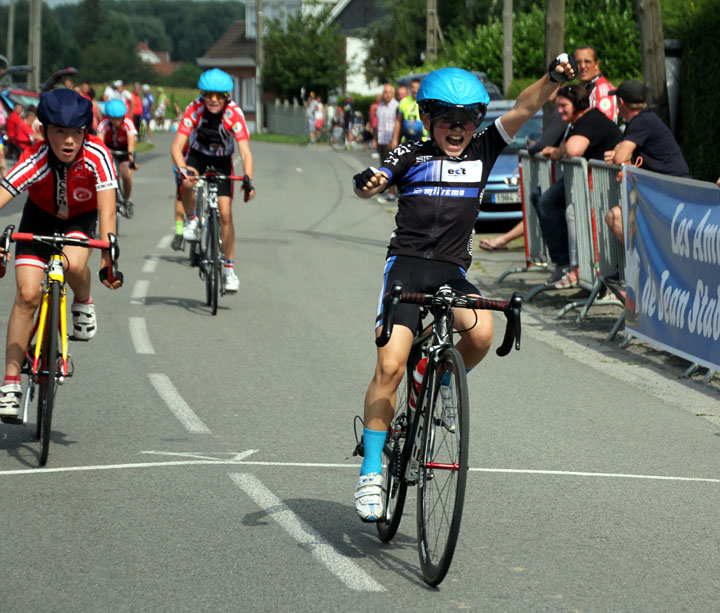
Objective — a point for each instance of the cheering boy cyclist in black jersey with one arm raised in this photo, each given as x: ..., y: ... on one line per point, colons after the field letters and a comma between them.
x: 440, y: 184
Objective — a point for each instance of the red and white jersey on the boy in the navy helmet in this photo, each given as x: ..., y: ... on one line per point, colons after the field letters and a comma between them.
x: 62, y: 190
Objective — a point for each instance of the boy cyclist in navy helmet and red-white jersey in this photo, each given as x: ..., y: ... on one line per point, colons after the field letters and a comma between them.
x: 71, y: 184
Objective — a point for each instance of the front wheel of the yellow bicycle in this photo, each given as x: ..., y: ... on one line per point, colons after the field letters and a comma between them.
x: 46, y: 376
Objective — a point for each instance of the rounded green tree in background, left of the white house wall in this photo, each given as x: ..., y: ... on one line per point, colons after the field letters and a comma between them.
x: 306, y: 53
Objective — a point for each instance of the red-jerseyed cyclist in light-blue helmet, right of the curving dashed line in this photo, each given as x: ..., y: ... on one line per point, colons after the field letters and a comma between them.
x: 212, y: 124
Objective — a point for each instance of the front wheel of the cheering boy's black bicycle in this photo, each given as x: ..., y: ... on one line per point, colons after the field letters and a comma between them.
x: 443, y: 467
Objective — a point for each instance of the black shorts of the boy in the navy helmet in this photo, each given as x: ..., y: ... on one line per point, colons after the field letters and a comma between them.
x: 37, y: 221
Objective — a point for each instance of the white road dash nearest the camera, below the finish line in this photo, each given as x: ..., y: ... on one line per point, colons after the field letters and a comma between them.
x: 342, y: 567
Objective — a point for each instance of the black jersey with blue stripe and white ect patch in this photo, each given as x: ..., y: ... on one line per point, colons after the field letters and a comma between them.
x: 439, y: 196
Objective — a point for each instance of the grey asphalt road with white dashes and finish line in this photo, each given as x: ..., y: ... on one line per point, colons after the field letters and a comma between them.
x: 204, y: 463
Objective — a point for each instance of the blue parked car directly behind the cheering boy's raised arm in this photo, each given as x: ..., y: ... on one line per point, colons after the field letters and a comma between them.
x: 501, y: 198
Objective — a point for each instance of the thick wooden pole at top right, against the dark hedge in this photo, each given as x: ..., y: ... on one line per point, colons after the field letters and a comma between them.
x: 653, y: 56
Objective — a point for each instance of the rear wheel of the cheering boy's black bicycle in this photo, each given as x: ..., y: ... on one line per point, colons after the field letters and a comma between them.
x: 395, y: 455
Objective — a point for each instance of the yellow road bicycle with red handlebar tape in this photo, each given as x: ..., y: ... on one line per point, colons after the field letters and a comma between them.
x: 48, y: 362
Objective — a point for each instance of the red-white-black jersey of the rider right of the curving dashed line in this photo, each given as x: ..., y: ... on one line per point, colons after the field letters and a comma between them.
x: 210, y: 135
